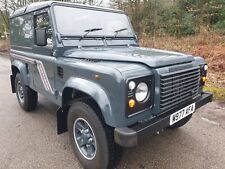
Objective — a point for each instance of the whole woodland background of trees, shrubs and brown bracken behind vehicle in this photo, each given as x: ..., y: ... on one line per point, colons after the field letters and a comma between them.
x: 191, y: 26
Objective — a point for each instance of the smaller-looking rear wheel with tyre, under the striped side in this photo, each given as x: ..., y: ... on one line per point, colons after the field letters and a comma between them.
x: 26, y: 96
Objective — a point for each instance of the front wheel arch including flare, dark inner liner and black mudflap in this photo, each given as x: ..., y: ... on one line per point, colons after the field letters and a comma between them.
x: 93, y: 94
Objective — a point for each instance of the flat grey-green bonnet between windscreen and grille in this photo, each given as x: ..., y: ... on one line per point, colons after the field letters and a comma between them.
x: 150, y: 57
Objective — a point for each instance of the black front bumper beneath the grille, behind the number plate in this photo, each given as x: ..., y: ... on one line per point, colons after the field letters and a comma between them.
x: 130, y: 136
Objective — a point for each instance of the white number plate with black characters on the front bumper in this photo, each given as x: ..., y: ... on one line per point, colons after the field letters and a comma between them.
x: 179, y: 115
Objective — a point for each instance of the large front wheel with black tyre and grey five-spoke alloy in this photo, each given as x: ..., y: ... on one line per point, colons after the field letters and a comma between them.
x: 92, y: 140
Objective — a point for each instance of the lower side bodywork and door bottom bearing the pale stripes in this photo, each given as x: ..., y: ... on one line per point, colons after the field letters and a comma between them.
x: 38, y: 75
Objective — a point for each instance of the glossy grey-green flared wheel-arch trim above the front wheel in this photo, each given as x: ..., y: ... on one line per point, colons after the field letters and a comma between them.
x: 96, y: 92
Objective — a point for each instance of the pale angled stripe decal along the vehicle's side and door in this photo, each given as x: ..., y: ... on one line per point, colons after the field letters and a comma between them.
x: 41, y: 70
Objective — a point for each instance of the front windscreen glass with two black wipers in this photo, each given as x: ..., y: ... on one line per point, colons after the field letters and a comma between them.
x: 78, y: 21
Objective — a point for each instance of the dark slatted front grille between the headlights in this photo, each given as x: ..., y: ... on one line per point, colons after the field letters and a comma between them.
x: 178, y: 87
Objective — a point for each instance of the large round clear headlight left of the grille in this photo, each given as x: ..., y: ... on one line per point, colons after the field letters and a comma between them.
x: 141, y: 92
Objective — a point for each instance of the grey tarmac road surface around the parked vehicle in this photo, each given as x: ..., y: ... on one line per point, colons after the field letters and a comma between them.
x: 29, y: 140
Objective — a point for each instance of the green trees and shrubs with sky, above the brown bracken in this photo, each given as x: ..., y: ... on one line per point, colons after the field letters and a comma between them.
x: 153, y: 17
